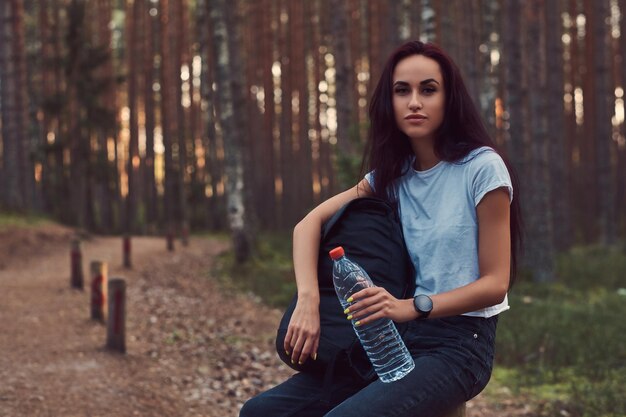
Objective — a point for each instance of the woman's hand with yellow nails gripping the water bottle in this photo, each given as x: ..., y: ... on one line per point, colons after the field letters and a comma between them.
x: 374, y: 303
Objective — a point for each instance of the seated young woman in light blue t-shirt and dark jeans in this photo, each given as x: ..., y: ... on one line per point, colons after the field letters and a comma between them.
x: 429, y: 154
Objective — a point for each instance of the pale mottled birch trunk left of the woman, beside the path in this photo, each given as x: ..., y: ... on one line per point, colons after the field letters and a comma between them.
x: 229, y: 94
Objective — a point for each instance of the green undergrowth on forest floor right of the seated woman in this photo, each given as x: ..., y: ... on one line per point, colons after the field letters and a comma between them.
x: 568, y: 338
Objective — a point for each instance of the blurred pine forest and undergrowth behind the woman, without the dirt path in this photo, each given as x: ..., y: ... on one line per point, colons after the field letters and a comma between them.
x: 155, y: 116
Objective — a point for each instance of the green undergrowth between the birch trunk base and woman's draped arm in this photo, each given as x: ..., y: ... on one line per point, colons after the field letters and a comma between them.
x: 268, y: 274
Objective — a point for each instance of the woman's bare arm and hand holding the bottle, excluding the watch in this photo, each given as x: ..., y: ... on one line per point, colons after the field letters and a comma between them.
x: 494, y: 248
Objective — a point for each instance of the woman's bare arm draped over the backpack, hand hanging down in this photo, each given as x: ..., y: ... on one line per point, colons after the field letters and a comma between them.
x: 302, y: 338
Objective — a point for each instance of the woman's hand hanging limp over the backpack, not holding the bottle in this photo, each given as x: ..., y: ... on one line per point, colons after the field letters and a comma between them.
x: 303, y: 333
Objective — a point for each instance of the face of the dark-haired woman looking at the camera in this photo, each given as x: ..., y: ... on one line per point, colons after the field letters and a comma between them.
x: 418, y: 97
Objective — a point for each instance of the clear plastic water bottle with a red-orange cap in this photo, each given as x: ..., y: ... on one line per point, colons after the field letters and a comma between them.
x: 380, y: 338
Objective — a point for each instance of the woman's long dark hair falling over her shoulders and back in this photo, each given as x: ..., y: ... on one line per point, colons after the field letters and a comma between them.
x: 462, y: 131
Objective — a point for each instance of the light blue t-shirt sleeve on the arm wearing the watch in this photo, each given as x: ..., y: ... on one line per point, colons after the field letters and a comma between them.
x: 489, y: 173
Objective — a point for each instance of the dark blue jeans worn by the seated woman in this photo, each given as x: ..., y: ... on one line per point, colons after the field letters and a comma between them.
x: 453, y: 362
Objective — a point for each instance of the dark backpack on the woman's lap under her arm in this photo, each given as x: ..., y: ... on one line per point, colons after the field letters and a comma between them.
x: 370, y: 232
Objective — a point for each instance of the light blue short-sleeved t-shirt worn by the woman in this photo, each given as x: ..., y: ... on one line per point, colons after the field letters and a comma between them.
x: 438, y: 213
